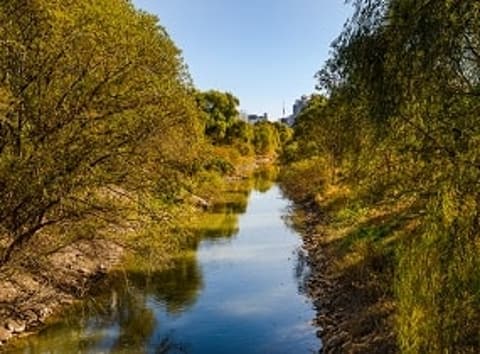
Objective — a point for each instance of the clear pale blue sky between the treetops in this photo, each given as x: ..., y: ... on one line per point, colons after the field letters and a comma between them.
x: 263, y: 51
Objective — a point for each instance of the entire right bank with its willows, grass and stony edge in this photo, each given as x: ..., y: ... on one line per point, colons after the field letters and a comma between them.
x: 385, y: 161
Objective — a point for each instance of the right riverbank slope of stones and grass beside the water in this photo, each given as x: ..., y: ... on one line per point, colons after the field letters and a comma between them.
x: 351, y: 286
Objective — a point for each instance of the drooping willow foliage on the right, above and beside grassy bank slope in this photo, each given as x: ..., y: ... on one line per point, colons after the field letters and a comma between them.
x: 400, y: 120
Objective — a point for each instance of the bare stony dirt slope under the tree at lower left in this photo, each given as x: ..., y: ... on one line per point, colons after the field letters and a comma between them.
x: 32, y: 292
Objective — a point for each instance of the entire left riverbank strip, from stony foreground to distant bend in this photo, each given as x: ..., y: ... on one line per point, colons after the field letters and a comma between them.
x: 35, y: 290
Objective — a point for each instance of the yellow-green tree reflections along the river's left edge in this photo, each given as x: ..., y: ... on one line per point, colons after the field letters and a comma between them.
x: 119, y: 317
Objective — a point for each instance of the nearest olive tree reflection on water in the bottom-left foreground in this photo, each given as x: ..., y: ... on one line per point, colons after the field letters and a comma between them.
x: 113, y: 323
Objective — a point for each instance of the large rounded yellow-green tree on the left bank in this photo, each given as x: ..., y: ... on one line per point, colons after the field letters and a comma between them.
x: 94, y: 94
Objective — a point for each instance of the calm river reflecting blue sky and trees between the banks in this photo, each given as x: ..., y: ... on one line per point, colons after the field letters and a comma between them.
x: 241, y: 291
